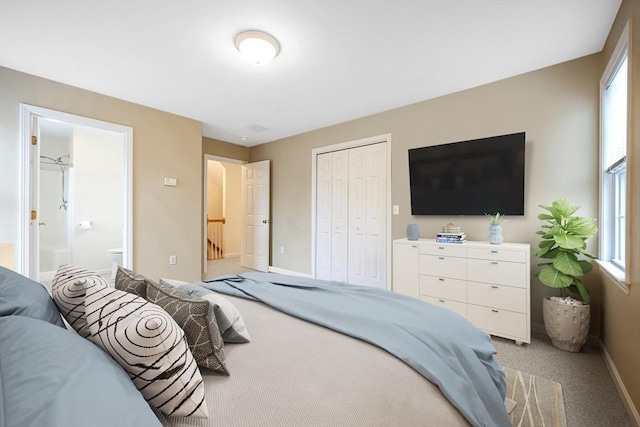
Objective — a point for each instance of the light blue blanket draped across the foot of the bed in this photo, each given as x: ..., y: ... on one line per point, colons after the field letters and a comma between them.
x: 439, y: 344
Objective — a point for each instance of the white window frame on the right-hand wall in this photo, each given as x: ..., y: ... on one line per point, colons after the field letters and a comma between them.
x: 610, y: 216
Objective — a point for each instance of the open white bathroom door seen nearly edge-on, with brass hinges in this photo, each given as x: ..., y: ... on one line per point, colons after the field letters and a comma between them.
x: 34, y: 200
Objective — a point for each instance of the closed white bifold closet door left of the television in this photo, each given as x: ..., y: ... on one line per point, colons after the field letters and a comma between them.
x: 351, y: 216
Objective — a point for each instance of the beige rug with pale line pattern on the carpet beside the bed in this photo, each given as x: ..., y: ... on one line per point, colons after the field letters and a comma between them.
x: 539, y: 401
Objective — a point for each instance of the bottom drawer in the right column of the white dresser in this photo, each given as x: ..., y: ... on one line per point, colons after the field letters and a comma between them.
x: 498, y: 322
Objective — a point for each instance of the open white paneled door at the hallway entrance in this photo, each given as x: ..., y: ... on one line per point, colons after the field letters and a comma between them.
x: 256, y: 222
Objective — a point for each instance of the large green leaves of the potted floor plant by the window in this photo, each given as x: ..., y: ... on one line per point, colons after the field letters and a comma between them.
x: 564, y: 237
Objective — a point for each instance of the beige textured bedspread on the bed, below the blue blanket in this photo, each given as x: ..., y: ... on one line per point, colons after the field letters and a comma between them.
x: 296, y: 373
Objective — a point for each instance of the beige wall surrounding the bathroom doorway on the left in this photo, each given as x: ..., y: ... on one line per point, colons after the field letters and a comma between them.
x: 166, y: 220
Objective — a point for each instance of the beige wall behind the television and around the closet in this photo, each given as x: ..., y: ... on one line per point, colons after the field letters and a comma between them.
x: 558, y: 109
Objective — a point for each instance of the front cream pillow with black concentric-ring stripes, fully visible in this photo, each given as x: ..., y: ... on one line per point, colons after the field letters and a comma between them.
x: 151, y: 348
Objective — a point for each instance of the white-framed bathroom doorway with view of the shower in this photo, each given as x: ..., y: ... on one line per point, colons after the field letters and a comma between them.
x: 79, y: 193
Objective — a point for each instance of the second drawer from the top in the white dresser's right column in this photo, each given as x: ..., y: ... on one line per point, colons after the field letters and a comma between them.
x: 497, y: 272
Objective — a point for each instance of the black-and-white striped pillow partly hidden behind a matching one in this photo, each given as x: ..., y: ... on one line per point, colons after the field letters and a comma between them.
x: 68, y: 292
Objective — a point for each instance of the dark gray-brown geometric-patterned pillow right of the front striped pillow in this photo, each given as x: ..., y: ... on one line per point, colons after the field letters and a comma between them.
x: 197, y: 318
